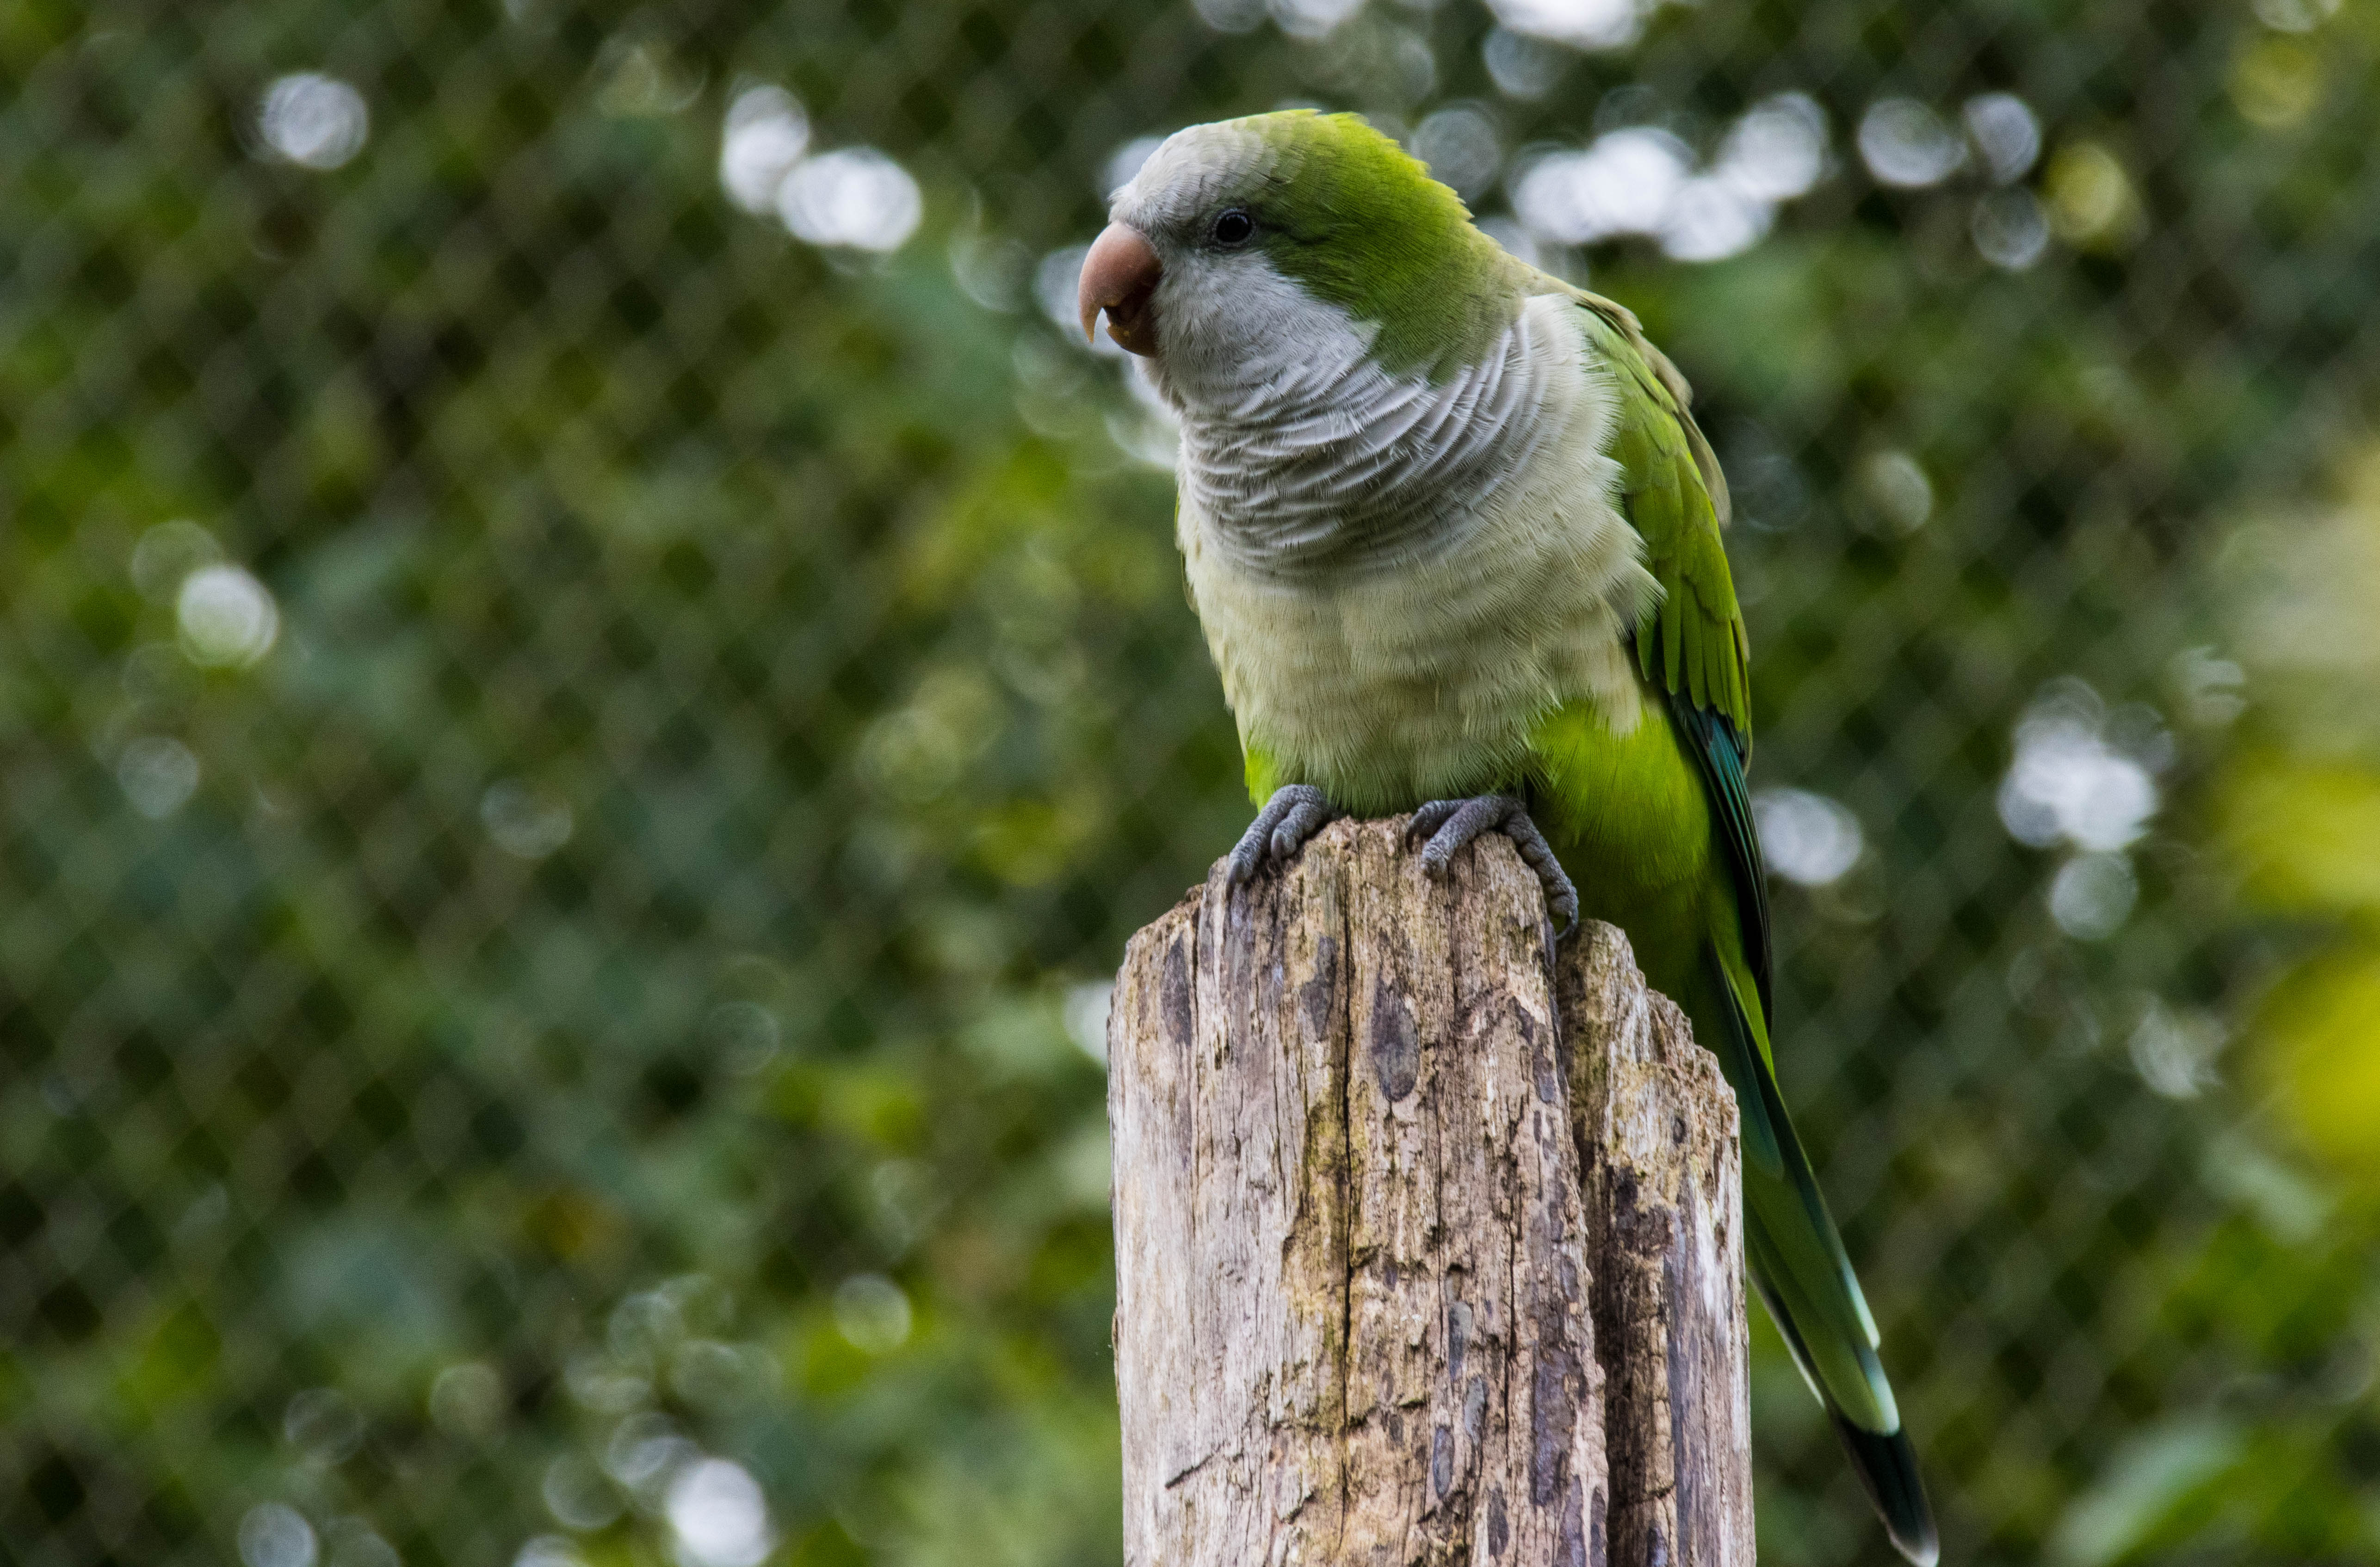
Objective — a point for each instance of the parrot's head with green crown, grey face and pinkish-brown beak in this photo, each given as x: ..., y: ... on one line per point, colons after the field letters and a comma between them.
x: 1246, y: 237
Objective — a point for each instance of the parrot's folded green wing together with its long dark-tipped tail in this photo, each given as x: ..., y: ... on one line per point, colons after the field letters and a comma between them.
x: 1696, y: 650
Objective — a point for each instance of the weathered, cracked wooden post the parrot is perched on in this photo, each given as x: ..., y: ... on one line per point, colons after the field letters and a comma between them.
x: 1429, y: 1250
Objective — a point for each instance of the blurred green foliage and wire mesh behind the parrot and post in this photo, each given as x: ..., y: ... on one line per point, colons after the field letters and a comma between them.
x: 596, y: 679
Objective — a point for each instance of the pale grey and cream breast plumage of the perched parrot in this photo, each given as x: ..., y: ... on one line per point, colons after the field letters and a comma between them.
x: 1401, y: 579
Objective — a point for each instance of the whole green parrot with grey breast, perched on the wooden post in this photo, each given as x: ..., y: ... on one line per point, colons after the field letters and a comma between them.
x: 1453, y: 539
